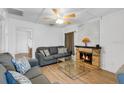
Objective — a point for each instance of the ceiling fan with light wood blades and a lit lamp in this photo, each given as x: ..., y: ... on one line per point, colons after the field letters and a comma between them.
x: 59, y: 19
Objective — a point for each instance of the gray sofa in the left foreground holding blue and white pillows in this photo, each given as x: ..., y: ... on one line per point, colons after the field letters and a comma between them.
x: 34, y: 74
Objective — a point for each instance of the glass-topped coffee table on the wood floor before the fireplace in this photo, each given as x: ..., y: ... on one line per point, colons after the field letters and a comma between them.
x: 73, y: 69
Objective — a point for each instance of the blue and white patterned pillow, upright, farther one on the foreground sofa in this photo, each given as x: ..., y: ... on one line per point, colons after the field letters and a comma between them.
x: 22, y: 65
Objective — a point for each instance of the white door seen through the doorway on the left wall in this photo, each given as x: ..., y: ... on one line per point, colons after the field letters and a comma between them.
x: 22, y: 41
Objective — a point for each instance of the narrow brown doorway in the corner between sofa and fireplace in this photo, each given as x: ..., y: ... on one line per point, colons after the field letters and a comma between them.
x: 69, y: 41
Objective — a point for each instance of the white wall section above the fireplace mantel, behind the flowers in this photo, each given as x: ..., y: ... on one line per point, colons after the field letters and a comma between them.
x: 91, y: 30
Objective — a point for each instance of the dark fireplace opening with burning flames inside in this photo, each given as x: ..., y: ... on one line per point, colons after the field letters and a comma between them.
x: 86, y: 57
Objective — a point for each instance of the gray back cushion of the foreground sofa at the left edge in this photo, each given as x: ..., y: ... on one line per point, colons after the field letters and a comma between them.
x: 5, y: 60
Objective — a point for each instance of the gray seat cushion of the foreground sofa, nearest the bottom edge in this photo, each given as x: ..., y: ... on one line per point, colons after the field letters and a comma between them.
x: 40, y: 80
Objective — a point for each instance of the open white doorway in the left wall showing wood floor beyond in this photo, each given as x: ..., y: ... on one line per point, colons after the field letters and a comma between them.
x: 23, y: 42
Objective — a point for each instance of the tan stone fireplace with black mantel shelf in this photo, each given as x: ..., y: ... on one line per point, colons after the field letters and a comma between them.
x: 93, y: 51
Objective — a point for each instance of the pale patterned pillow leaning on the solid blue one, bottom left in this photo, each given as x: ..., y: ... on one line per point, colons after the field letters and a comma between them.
x: 20, y: 78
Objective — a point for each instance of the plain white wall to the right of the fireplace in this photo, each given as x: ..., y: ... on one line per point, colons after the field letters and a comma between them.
x: 112, y: 41
